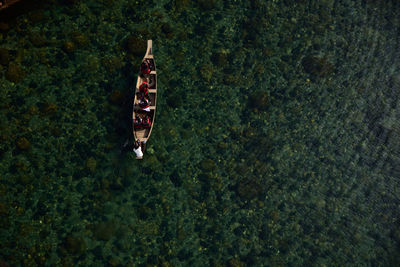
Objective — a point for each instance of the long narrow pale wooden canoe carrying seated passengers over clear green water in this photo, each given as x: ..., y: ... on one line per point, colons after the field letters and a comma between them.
x: 143, y: 133
